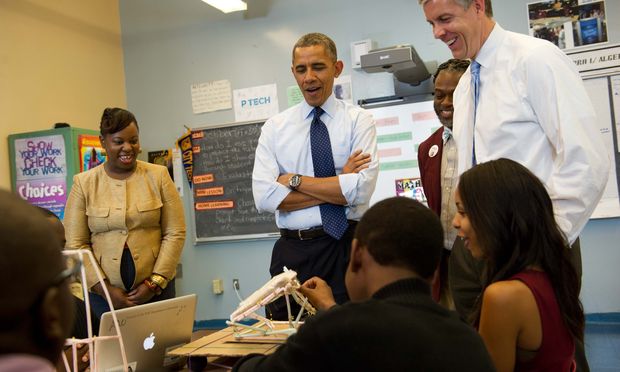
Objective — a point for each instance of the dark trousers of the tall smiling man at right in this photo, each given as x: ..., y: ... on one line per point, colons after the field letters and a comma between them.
x: 465, y: 274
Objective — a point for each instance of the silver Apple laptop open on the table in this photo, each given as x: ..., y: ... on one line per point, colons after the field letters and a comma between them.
x: 149, y: 331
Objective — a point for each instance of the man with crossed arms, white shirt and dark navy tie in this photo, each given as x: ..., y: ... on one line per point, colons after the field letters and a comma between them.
x: 315, y: 168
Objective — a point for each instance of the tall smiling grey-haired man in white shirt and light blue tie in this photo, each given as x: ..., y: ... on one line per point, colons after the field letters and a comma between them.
x: 531, y: 106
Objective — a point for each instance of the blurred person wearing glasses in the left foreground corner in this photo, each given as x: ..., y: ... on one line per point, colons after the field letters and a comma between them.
x: 37, y: 309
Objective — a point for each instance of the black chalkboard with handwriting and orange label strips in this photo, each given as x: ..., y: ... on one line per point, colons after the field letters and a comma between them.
x: 222, y: 181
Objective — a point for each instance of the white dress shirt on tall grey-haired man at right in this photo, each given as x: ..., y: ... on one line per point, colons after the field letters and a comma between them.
x: 534, y: 109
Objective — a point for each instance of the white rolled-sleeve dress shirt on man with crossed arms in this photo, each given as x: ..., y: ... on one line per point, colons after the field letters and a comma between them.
x: 284, y: 147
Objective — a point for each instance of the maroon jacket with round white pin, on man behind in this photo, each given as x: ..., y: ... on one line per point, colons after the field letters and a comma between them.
x: 430, y: 170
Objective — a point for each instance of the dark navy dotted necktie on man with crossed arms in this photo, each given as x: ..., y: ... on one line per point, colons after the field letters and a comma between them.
x: 333, y: 216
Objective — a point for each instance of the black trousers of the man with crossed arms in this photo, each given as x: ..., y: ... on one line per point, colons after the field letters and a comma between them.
x: 324, y: 257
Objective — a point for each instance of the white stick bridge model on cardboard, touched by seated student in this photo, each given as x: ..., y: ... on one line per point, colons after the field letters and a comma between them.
x: 284, y: 284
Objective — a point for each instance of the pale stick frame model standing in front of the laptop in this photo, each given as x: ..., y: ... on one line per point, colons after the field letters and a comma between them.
x: 73, y: 342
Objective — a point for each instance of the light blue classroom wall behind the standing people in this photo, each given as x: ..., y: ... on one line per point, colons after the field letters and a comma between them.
x: 168, y: 46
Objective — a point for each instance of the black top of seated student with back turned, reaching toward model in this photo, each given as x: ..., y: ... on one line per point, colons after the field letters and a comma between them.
x: 399, y: 329
